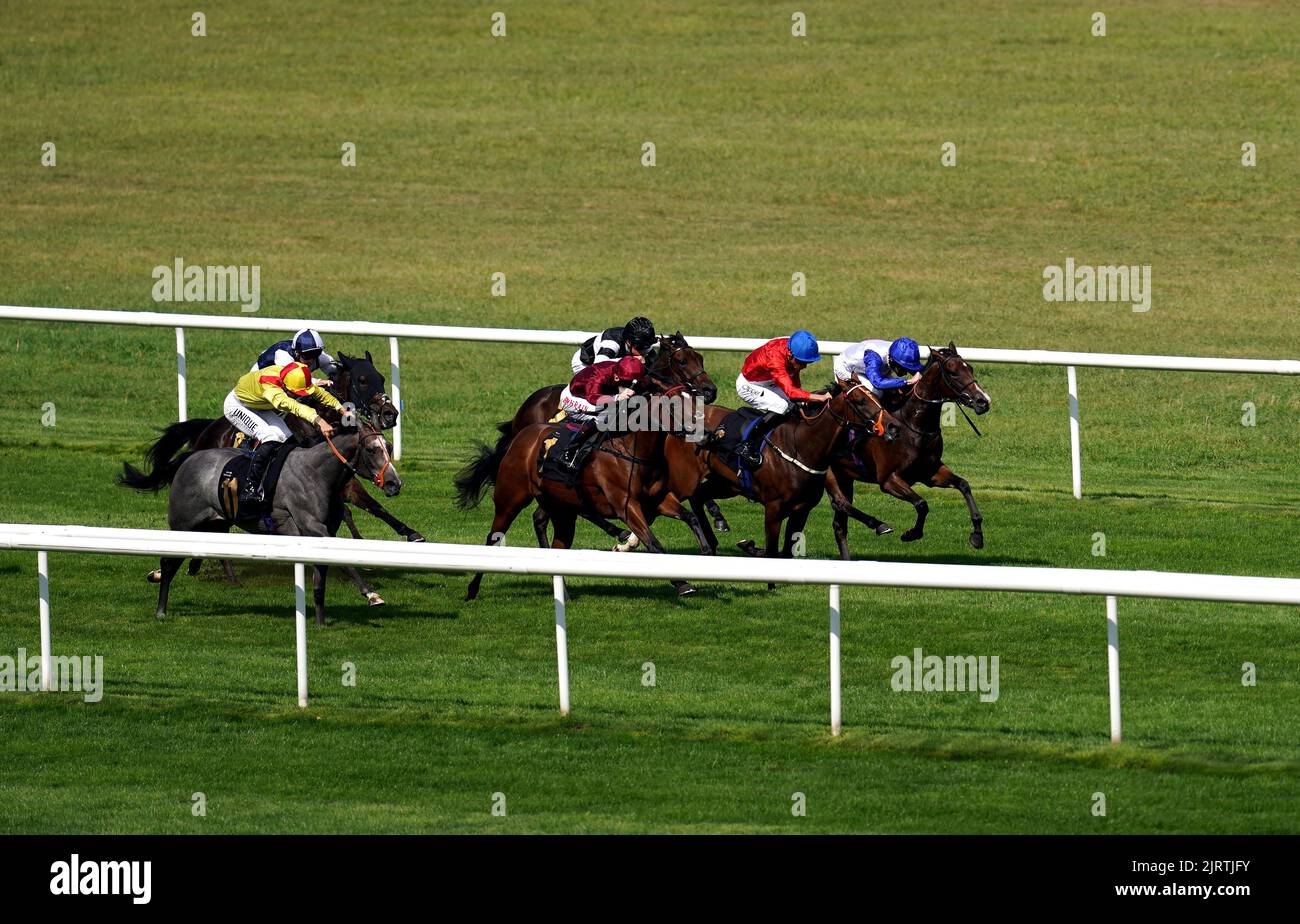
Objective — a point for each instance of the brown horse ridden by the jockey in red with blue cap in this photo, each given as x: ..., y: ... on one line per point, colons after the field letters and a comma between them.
x: 790, y: 483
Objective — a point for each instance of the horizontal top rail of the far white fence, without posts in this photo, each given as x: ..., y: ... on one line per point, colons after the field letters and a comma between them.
x: 435, y: 332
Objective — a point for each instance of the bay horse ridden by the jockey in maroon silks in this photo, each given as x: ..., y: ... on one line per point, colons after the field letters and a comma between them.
x: 625, y: 479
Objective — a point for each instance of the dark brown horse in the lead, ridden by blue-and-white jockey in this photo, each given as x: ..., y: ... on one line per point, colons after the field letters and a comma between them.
x: 916, y: 457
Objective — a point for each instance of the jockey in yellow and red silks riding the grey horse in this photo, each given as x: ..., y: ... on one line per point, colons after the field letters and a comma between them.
x: 258, y: 405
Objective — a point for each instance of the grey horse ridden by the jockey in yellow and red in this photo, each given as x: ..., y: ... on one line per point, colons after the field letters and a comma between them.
x: 306, y: 498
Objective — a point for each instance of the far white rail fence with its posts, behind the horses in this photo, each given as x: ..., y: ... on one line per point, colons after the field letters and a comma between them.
x: 432, y: 332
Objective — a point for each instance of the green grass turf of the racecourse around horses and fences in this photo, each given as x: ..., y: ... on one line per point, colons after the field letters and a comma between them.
x: 775, y: 155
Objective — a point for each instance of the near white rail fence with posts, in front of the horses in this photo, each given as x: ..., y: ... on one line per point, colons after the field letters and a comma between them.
x: 574, y: 563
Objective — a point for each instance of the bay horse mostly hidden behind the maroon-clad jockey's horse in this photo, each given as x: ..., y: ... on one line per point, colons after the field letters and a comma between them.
x: 674, y: 365
